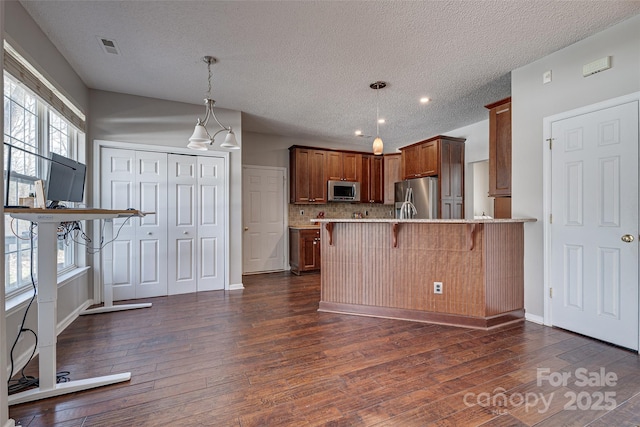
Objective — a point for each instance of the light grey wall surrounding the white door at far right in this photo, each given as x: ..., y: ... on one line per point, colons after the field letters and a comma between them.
x: 532, y: 101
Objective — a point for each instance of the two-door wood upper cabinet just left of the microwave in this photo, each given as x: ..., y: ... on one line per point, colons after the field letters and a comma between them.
x: 307, y: 179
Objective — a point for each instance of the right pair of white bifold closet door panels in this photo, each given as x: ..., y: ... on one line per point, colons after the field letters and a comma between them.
x: 196, y: 223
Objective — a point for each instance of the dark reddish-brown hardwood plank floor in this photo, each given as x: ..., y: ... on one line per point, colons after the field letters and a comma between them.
x: 265, y: 357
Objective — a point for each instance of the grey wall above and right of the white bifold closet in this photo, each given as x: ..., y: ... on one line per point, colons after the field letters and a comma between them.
x: 139, y: 120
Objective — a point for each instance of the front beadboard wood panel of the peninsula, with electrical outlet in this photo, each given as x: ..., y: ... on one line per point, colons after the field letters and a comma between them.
x: 362, y: 267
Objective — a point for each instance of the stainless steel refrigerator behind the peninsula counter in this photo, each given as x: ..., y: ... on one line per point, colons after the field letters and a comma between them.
x: 417, y: 198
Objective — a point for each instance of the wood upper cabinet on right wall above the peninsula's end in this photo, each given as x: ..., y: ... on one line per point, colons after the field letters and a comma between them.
x: 500, y: 148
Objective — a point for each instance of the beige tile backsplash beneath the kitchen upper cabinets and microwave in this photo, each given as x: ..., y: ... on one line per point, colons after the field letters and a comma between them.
x: 337, y: 210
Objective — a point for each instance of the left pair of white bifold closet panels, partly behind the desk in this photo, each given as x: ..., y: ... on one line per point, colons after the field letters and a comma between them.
x: 136, y: 179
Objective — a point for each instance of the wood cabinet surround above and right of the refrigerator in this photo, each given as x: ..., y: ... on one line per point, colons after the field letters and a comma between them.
x: 440, y: 156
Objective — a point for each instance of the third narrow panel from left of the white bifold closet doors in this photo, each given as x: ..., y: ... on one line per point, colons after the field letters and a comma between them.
x: 182, y: 213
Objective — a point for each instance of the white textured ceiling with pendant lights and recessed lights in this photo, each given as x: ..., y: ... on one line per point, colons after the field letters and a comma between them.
x: 303, y: 68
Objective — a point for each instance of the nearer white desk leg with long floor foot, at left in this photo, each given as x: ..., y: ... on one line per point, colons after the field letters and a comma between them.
x: 47, y: 323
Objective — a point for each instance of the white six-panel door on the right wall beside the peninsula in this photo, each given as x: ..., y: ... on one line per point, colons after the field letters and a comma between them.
x: 594, y: 272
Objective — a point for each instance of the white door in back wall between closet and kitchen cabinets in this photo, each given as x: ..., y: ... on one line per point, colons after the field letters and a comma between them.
x: 263, y: 218
